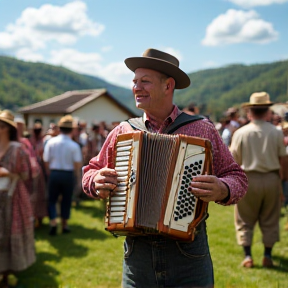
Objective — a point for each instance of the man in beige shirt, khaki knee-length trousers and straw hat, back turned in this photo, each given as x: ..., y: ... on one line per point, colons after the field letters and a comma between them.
x: 257, y: 147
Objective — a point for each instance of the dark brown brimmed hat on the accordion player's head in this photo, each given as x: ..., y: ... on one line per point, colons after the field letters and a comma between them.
x: 162, y: 62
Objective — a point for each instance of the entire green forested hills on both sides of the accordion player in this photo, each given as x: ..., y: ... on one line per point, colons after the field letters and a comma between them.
x: 213, y: 90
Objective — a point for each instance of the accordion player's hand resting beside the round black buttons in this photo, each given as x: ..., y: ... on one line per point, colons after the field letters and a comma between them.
x: 208, y: 188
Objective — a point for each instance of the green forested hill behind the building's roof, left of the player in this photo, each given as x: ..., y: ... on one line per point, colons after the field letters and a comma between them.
x: 23, y: 83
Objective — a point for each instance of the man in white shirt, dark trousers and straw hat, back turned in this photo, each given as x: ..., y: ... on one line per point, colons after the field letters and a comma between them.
x: 63, y: 160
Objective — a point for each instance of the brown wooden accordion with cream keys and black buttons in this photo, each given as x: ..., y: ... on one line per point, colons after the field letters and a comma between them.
x: 154, y: 174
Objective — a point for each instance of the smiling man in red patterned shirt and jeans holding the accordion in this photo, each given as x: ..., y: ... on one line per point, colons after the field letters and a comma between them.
x: 146, y: 261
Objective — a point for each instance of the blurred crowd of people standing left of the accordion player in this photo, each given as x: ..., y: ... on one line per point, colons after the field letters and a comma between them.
x: 40, y: 176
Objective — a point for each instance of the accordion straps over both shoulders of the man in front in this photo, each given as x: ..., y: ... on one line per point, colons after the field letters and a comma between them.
x: 181, y: 120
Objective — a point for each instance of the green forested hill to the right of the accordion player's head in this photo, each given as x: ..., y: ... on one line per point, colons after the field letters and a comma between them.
x: 215, y: 90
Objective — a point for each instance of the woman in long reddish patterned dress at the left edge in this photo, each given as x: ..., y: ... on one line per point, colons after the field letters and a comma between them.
x: 17, y: 247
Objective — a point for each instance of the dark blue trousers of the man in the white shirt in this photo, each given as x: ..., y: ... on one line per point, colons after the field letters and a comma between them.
x: 60, y: 183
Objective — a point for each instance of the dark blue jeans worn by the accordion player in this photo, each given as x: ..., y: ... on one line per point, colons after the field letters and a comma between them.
x: 157, y: 261
